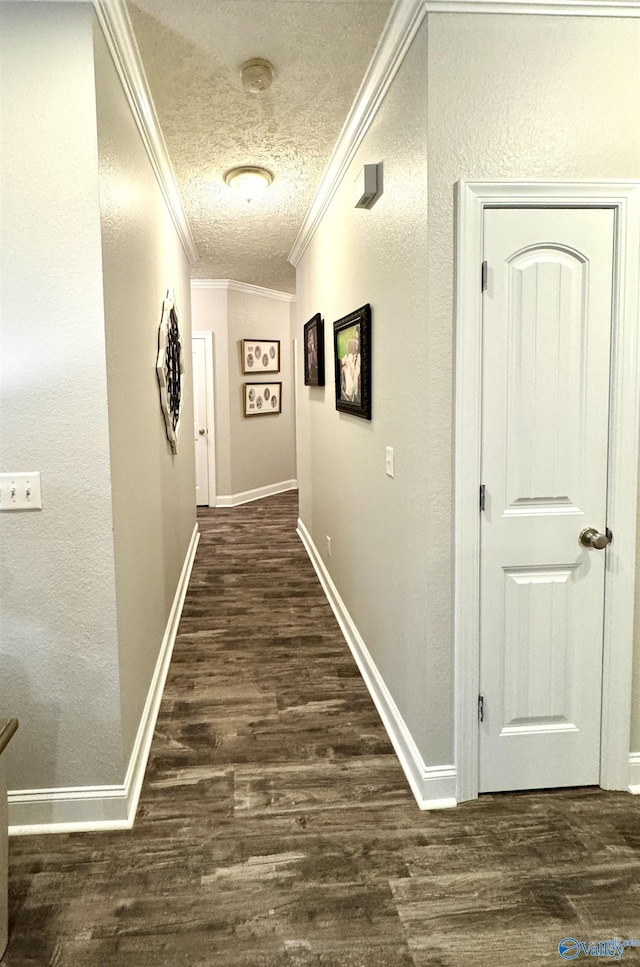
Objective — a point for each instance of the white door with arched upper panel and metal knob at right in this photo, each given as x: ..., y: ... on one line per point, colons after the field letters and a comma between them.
x: 547, y: 314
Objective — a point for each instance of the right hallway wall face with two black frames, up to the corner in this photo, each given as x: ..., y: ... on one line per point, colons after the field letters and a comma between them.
x: 391, y: 544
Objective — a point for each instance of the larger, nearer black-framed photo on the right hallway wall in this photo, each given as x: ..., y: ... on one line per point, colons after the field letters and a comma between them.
x: 352, y: 353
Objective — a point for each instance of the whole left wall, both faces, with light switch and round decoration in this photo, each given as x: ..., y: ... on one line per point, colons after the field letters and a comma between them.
x: 87, y: 583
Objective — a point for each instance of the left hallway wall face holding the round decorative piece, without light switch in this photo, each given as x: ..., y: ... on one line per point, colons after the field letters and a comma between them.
x: 153, y: 489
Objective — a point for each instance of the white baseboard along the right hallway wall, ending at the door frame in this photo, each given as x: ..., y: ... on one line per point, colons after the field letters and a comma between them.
x: 434, y: 787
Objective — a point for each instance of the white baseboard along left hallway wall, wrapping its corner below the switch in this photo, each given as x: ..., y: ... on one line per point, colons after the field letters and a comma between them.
x: 97, y: 808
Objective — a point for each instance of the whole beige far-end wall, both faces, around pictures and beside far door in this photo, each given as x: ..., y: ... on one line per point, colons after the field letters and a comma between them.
x: 251, y: 453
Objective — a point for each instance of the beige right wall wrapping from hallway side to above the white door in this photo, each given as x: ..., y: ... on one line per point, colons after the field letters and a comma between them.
x: 482, y: 97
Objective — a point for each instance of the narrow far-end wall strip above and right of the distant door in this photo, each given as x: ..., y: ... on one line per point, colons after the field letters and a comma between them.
x: 209, y: 314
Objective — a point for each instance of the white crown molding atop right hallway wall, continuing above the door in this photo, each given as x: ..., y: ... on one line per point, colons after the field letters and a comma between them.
x: 404, y: 21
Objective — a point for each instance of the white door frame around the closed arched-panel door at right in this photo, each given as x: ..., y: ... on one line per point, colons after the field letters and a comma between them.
x: 472, y: 198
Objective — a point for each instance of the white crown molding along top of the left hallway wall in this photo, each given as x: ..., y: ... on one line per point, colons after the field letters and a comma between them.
x: 114, y: 19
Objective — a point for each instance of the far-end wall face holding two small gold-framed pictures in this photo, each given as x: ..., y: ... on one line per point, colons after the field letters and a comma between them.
x: 262, y: 448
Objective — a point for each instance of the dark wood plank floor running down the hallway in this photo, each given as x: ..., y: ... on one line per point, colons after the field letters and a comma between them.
x: 276, y: 828
